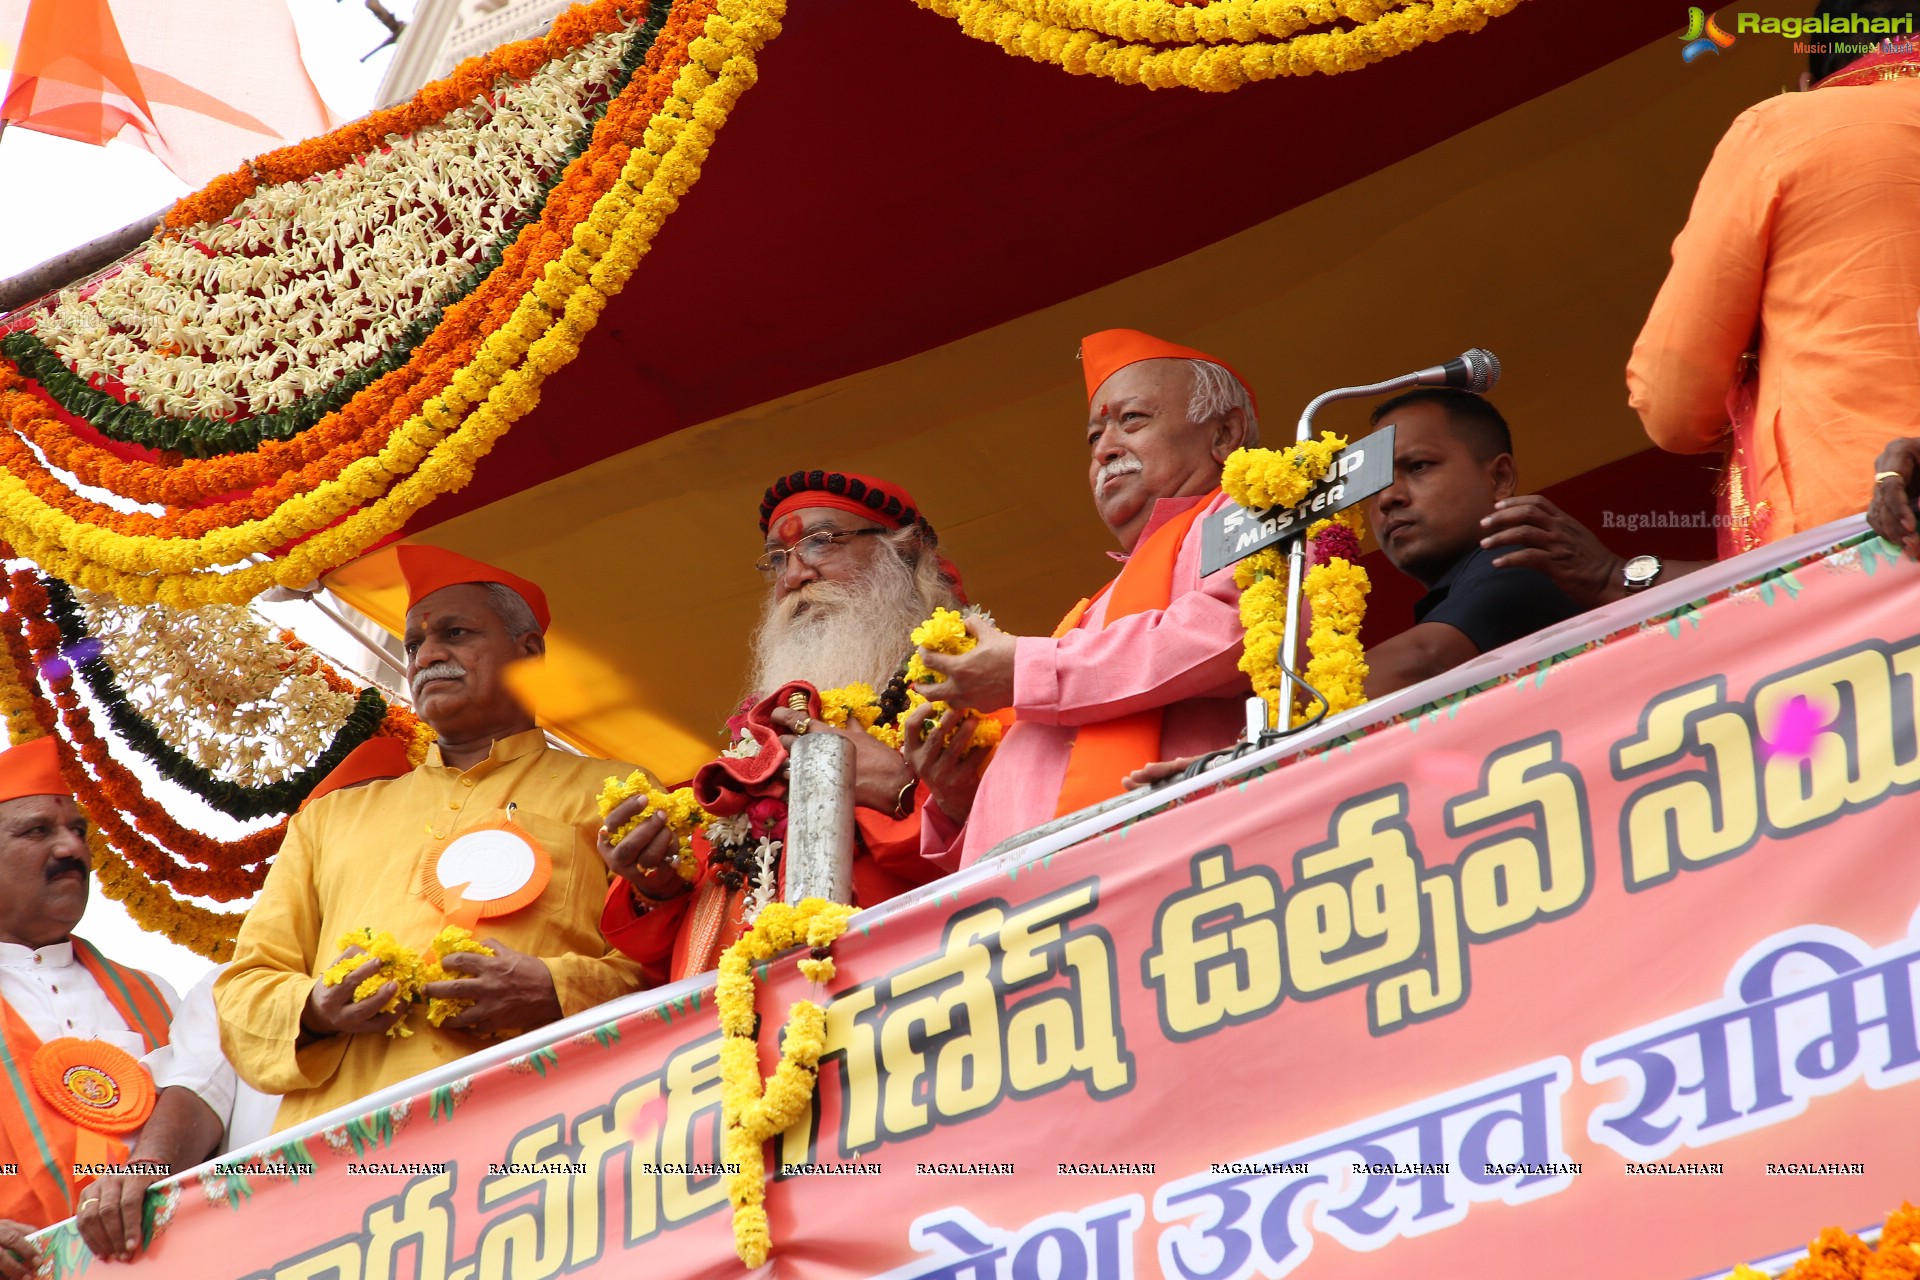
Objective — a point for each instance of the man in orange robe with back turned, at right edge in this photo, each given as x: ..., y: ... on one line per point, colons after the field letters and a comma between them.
x: 1804, y: 249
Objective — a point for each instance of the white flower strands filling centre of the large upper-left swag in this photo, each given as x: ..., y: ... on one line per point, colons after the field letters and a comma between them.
x: 312, y: 281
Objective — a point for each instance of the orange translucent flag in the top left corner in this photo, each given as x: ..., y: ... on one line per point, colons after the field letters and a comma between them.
x: 201, y: 85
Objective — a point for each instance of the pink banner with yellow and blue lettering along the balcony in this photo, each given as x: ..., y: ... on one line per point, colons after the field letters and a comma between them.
x: 1604, y: 970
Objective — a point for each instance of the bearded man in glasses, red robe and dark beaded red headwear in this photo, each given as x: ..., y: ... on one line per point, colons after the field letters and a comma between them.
x: 852, y: 571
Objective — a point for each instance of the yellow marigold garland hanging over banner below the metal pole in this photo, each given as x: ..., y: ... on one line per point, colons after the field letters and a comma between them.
x: 754, y: 1110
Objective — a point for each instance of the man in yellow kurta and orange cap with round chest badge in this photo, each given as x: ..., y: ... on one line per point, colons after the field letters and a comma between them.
x: 373, y: 859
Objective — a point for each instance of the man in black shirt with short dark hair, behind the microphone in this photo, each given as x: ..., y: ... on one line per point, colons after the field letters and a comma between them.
x: 1497, y: 567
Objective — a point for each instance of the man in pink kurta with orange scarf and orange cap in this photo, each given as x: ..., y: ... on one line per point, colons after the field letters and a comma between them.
x: 1149, y: 669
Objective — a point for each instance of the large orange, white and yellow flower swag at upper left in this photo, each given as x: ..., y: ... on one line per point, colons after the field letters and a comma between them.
x: 318, y: 346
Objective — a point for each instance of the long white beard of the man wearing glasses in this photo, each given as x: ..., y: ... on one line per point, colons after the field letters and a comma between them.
x: 834, y: 634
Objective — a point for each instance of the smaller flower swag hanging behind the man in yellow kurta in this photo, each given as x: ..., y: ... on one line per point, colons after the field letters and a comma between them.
x: 145, y: 857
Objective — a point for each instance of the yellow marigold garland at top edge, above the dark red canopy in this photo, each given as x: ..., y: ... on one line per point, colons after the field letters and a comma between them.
x: 1211, y: 47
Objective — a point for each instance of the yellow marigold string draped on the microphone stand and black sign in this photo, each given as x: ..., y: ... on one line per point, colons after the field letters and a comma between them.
x: 1335, y: 584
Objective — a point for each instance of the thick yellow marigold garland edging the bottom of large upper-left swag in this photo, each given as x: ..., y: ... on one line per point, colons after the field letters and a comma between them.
x: 439, y: 448
